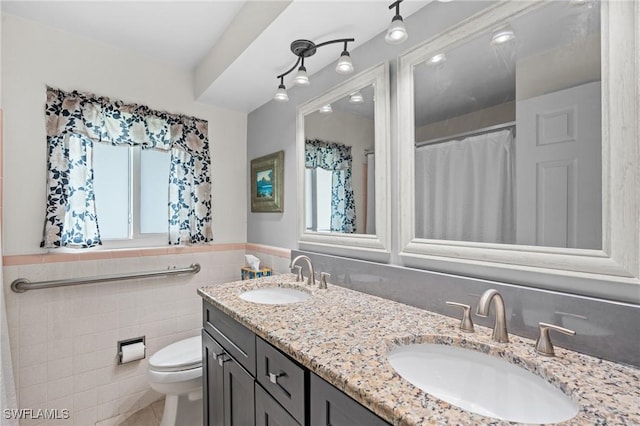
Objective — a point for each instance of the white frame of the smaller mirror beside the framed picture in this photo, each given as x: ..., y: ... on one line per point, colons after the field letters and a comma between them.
x: 367, y: 246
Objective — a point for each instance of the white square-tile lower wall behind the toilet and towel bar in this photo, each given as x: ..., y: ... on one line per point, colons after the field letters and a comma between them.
x: 64, y: 340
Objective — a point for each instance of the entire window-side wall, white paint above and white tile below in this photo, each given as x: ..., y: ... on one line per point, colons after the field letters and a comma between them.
x: 63, y: 340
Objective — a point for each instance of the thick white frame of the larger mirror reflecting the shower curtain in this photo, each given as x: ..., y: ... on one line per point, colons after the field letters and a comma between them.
x: 611, y: 273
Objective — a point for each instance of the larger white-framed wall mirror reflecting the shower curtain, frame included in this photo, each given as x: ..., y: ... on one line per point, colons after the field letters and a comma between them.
x: 507, y: 126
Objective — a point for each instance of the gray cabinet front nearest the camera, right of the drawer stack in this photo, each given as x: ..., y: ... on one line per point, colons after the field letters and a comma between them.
x: 330, y: 407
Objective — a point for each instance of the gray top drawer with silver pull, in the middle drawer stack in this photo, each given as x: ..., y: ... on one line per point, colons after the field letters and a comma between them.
x: 282, y: 378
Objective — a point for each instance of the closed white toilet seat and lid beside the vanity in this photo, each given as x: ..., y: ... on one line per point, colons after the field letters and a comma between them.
x: 179, y: 356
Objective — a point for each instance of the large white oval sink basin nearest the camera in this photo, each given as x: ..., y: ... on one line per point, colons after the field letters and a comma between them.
x: 481, y: 383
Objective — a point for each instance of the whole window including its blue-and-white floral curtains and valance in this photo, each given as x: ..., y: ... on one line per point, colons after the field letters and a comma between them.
x: 139, y: 190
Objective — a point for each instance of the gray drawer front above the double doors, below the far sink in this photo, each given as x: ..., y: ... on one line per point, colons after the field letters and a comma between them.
x: 235, y: 338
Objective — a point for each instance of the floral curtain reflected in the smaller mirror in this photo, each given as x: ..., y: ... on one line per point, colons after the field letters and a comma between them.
x: 336, y: 157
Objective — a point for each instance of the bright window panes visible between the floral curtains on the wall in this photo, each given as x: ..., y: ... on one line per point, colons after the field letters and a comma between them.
x: 130, y: 187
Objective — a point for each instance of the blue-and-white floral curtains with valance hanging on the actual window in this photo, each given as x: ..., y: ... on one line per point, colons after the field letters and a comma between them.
x: 75, y: 121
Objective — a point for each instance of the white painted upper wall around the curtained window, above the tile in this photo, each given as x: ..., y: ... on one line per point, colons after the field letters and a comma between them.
x: 34, y: 56
